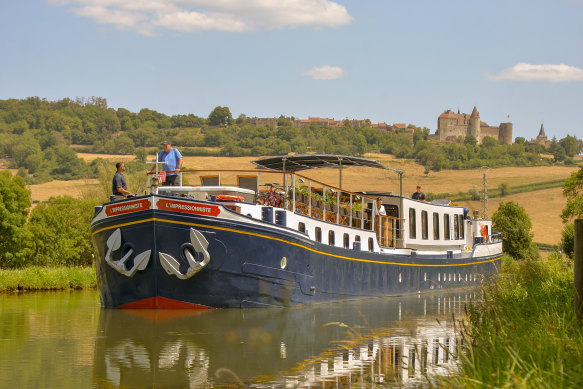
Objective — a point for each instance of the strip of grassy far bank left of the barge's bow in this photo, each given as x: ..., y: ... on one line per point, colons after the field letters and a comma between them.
x: 42, y: 278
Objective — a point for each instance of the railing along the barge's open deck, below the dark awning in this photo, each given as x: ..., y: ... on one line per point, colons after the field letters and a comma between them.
x: 306, y: 196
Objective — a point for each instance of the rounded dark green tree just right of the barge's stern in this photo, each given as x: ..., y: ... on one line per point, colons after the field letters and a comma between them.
x: 513, y: 222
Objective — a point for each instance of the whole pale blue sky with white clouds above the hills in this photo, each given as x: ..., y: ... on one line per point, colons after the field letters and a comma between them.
x: 387, y: 60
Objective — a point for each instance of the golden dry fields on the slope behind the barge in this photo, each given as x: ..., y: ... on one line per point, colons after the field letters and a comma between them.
x: 543, y: 207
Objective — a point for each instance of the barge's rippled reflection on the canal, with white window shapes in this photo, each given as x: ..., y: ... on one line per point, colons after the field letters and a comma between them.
x: 393, y: 342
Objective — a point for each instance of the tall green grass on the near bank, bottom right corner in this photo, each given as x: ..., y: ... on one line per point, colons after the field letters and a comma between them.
x: 523, y: 333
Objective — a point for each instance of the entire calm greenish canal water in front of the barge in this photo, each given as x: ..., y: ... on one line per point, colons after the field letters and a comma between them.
x: 65, y: 340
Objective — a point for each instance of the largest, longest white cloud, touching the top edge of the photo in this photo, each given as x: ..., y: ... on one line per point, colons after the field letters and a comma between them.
x: 149, y: 16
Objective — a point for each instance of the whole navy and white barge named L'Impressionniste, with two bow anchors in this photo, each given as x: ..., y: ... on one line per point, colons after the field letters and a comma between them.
x: 216, y: 246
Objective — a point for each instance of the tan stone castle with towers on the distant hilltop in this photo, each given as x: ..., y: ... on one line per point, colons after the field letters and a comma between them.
x: 450, y: 126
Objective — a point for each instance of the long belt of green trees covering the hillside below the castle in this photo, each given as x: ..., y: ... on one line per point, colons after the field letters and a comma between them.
x: 37, y: 133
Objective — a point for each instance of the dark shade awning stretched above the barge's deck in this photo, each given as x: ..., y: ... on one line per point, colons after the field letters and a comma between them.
x: 297, y: 162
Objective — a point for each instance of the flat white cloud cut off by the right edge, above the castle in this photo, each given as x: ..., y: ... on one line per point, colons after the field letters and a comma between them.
x: 547, y: 72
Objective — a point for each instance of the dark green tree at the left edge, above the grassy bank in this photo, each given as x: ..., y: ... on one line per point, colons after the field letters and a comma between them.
x: 14, y: 205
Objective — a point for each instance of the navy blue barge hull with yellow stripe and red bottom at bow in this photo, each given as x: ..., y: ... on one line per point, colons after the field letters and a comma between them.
x: 253, y: 264
